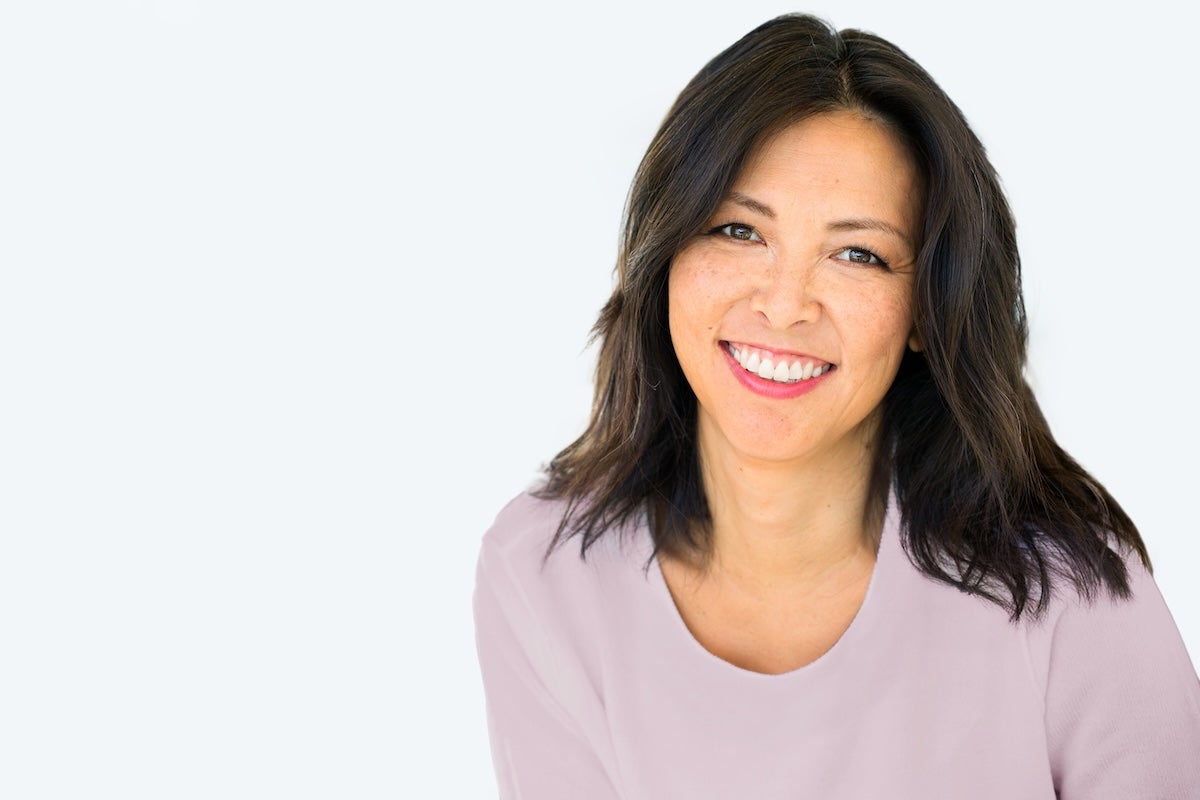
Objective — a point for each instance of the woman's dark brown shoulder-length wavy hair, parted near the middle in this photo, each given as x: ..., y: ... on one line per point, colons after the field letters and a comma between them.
x: 989, y: 501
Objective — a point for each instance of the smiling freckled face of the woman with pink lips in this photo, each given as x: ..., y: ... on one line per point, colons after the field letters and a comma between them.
x: 791, y: 312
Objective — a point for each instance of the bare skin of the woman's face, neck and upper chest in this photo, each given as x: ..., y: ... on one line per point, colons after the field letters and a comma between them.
x: 808, y: 264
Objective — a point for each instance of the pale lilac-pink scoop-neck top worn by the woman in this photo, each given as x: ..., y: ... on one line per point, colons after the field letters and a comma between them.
x: 597, y: 690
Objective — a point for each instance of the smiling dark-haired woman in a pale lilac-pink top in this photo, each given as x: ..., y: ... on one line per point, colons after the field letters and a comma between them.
x: 829, y: 546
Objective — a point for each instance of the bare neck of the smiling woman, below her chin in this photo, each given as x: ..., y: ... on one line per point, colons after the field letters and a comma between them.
x: 783, y: 527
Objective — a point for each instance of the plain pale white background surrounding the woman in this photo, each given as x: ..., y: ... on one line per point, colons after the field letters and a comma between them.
x: 296, y: 297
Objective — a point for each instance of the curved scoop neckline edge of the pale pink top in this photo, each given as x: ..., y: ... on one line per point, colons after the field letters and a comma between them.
x: 838, y: 652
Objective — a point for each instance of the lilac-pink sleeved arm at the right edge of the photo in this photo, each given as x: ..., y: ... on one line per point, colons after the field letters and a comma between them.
x: 1123, y: 700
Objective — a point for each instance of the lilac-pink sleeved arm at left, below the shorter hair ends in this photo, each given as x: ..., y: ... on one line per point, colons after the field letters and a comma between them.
x: 538, y: 750
